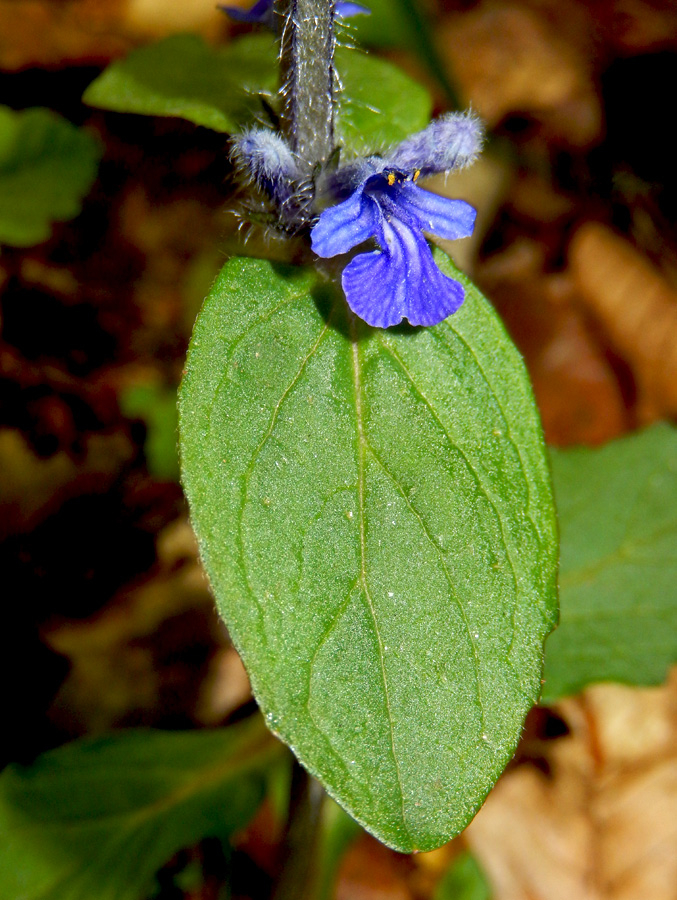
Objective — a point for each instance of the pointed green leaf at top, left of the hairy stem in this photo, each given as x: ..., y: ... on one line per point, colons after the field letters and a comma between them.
x: 181, y: 76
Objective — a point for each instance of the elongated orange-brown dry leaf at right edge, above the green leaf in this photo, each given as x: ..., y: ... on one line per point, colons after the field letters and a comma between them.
x: 637, y: 308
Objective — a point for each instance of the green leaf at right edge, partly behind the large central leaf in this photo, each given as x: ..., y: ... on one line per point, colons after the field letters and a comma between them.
x: 617, y: 508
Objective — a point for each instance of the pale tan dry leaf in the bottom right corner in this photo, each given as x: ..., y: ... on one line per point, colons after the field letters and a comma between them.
x: 603, y: 826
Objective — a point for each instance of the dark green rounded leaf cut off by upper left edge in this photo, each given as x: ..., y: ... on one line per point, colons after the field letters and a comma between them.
x: 47, y: 166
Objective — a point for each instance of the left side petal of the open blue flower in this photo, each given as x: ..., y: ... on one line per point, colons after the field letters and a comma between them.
x: 344, y: 226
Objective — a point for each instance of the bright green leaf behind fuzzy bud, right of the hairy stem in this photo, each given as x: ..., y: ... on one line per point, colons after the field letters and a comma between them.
x: 379, y: 105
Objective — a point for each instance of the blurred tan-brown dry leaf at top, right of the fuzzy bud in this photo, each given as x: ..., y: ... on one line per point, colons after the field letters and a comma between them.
x: 508, y: 58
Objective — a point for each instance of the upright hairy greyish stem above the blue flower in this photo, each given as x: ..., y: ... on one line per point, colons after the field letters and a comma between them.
x: 307, y: 56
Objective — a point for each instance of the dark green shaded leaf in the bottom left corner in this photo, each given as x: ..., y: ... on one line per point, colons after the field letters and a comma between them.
x: 98, y: 817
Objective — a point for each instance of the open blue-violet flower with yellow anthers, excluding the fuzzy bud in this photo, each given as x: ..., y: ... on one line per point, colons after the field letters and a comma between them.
x: 401, y: 279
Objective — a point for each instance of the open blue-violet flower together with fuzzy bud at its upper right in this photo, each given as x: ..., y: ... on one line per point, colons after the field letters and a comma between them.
x: 381, y: 201
